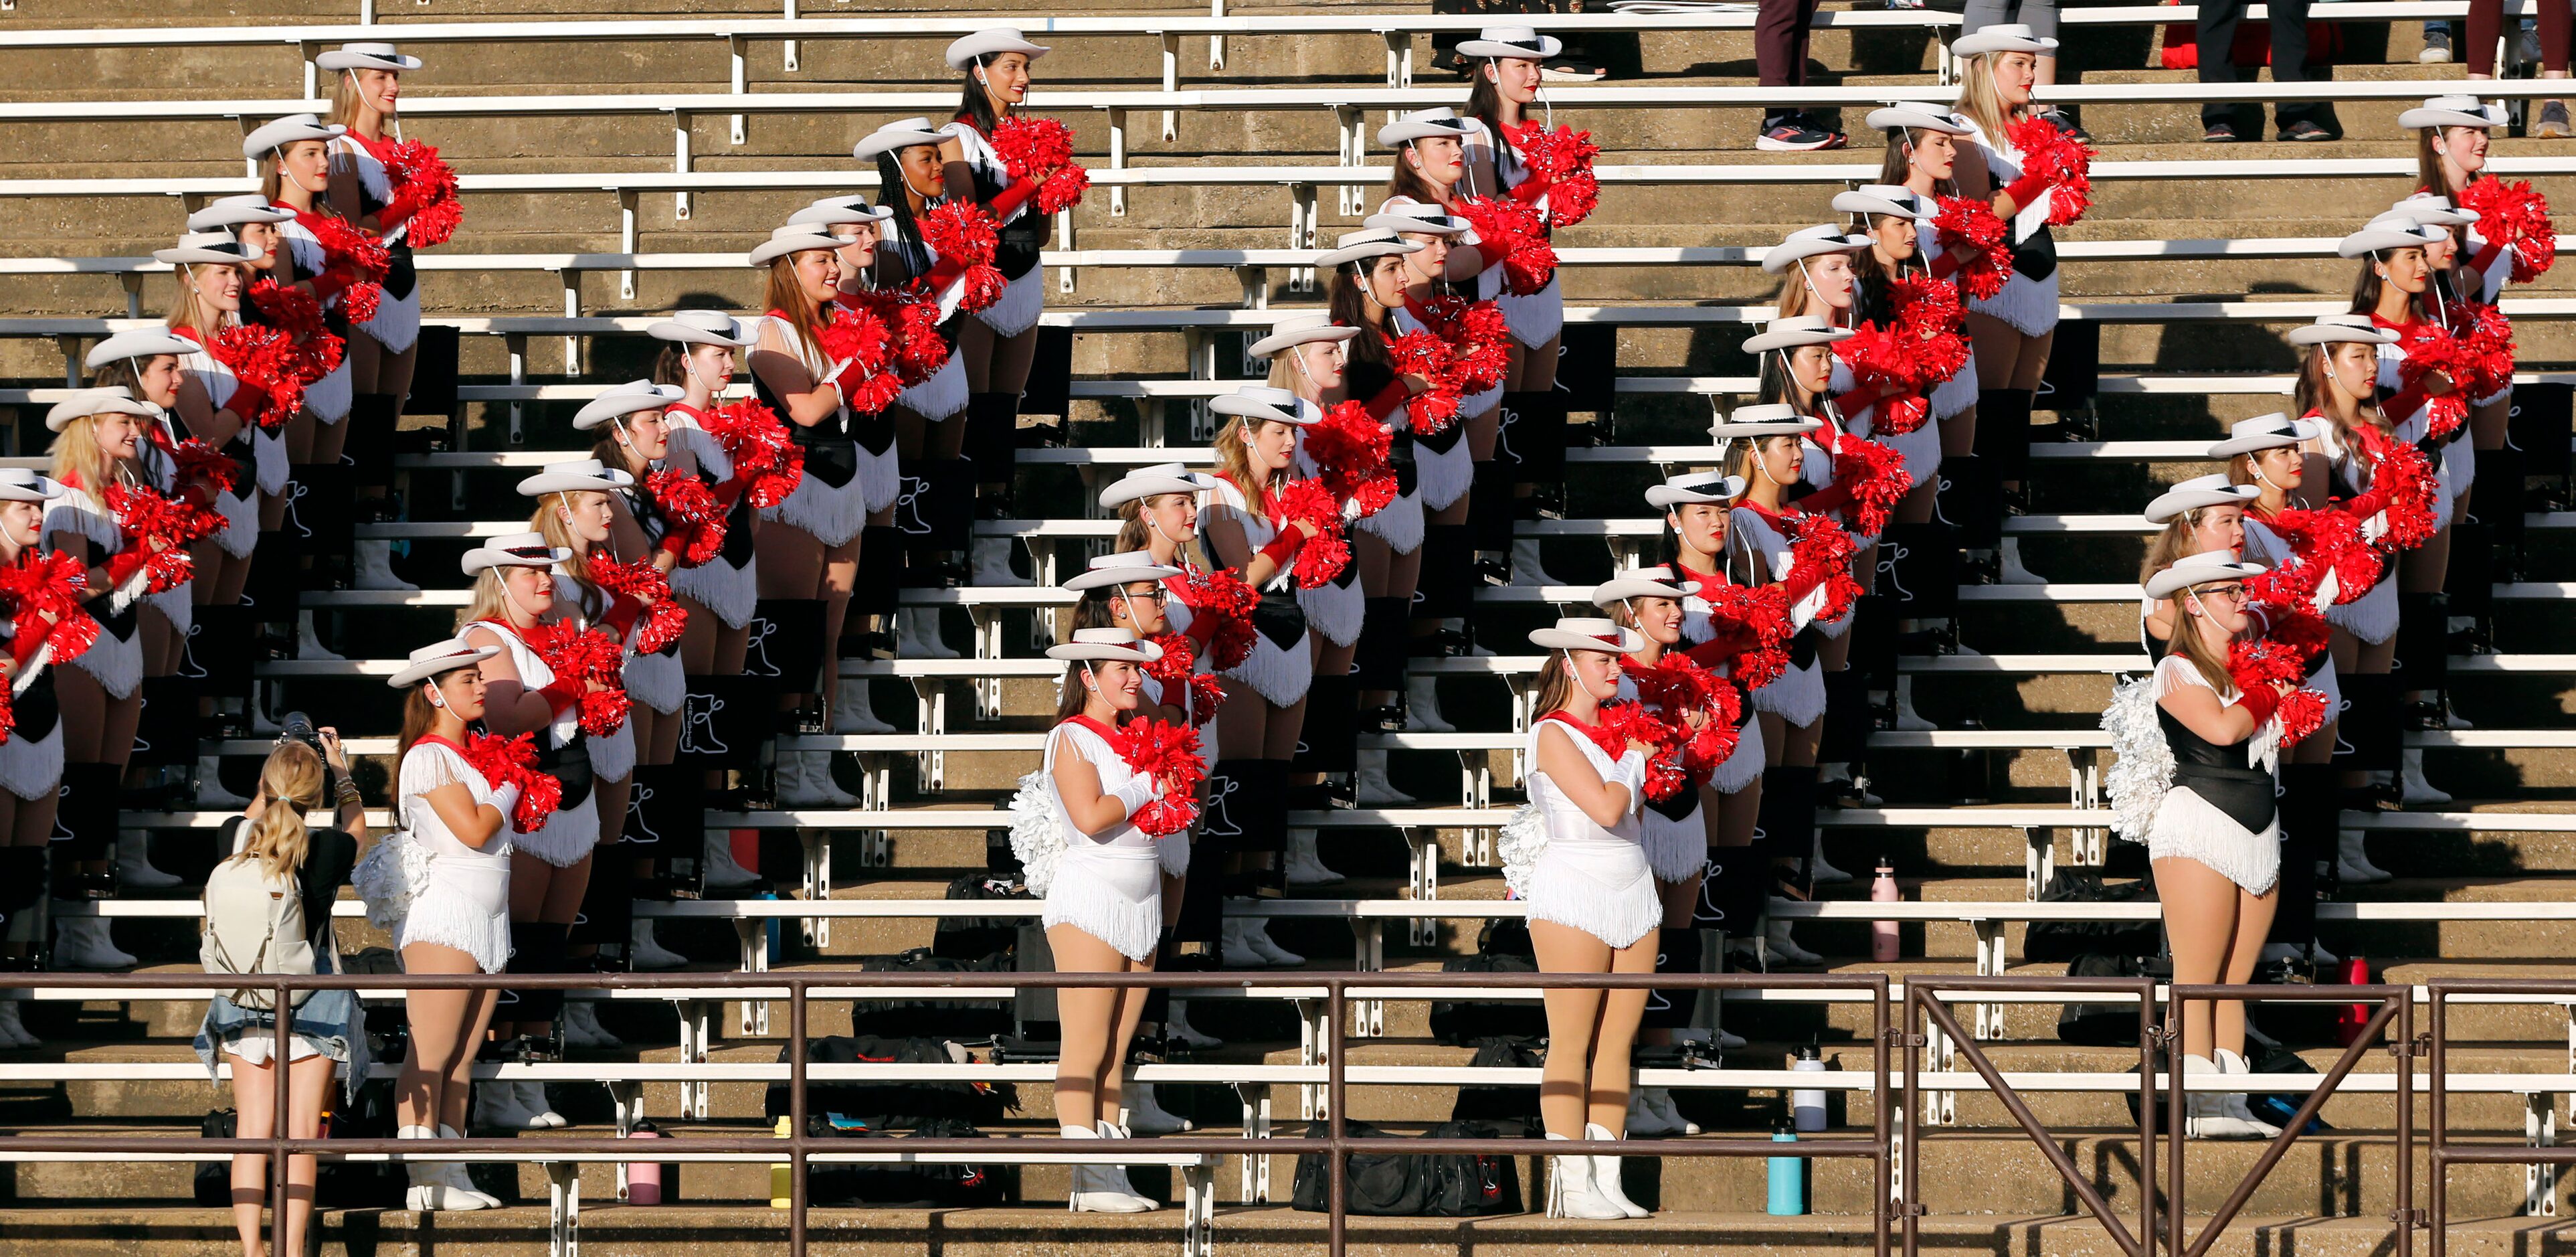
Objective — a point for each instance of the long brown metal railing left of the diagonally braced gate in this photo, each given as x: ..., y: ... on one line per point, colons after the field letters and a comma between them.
x: 797, y: 1148
